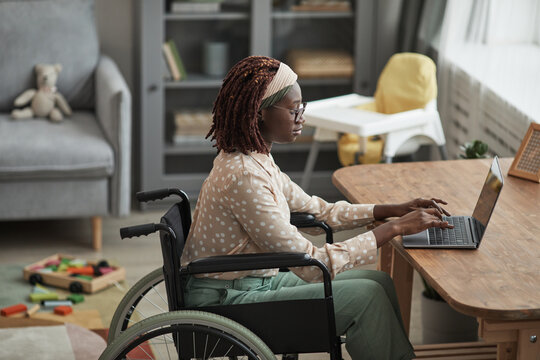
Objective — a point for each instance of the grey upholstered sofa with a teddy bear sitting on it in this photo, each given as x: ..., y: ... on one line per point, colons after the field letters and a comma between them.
x: 79, y: 167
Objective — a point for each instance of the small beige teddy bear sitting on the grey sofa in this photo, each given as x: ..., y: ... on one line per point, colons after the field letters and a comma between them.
x: 45, y: 101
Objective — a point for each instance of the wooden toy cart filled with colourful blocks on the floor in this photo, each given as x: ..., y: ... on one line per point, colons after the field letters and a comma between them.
x: 70, y: 273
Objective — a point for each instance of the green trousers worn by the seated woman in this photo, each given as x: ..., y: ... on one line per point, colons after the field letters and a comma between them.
x: 365, y: 306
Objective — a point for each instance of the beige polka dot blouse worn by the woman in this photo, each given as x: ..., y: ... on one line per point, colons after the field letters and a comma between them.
x: 244, y: 207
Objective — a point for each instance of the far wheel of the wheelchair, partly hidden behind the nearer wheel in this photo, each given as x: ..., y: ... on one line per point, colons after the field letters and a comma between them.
x: 146, y: 298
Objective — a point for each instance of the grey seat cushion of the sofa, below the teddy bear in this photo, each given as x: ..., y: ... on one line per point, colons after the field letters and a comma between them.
x: 39, y: 148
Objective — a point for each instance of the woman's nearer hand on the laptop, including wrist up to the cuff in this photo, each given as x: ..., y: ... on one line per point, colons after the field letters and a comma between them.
x: 410, y: 223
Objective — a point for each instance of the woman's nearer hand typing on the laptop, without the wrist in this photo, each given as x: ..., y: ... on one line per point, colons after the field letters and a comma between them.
x: 420, y: 220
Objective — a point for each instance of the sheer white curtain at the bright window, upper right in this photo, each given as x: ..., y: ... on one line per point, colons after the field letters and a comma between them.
x: 489, y: 72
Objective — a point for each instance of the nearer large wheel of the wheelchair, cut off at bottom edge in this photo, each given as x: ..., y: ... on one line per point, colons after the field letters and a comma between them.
x: 187, y: 334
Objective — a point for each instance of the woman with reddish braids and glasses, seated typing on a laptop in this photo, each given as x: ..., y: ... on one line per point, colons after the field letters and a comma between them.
x: 245, y: 205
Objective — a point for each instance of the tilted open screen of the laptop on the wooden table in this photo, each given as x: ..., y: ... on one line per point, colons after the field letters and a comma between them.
x: 488, y: 196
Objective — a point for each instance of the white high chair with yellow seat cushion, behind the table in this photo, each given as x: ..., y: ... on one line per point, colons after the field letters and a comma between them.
x: 403, y: 132
